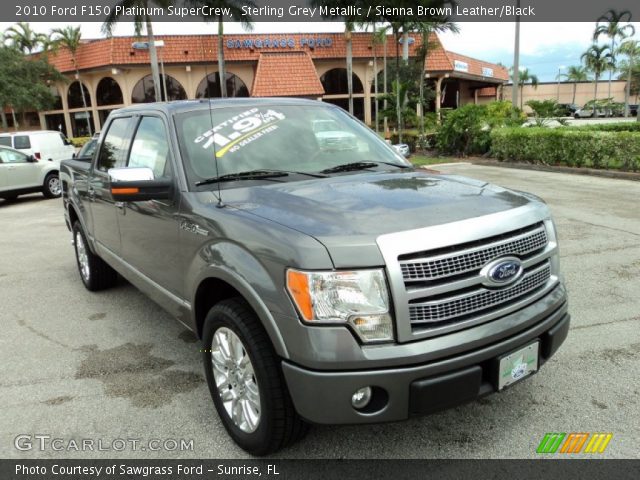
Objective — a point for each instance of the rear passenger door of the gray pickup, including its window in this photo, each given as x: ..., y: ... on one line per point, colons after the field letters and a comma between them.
x: 112, y: 154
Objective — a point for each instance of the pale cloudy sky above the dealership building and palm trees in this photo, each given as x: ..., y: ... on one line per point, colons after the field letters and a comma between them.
x: 544, y: 47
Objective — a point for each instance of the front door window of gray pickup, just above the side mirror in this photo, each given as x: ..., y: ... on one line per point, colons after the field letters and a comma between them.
x: 150, y: 147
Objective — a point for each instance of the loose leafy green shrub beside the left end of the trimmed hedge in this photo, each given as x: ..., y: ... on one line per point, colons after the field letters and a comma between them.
x: 467, y: 130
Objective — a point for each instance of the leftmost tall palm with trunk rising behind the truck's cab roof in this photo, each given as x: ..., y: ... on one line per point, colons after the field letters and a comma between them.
x: 139, y: 21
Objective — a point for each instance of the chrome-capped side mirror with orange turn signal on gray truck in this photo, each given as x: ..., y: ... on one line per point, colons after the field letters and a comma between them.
x: 137, y: 184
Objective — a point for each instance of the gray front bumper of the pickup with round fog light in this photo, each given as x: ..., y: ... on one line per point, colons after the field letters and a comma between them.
x: 325, y: 397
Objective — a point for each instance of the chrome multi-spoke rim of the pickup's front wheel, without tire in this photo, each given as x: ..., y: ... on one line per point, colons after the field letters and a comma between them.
x: 235, y: 379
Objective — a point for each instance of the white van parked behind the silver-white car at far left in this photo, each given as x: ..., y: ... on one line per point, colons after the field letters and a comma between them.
x: 42, y: 144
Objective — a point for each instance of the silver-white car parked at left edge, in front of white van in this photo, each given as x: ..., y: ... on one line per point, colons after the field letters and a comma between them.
x: 21, y: 174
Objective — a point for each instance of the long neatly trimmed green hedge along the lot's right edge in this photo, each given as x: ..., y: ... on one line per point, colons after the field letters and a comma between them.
x: 570, y: 147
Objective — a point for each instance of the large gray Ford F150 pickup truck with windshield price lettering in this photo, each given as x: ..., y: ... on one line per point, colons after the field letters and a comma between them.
x: 329, y: 281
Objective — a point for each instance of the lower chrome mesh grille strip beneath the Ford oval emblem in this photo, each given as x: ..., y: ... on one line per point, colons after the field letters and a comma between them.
x: 479, y: 299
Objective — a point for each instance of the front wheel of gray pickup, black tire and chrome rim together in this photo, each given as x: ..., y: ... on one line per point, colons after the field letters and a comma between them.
x: 246, y: 381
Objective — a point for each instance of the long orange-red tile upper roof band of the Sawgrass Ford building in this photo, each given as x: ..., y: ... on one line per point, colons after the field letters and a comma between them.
x: 187, y: 49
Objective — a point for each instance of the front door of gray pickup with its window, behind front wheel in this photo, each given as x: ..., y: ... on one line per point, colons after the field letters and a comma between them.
x: 149, y: 230
